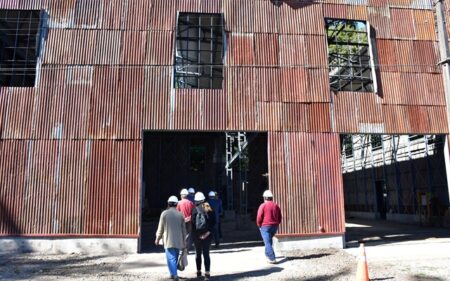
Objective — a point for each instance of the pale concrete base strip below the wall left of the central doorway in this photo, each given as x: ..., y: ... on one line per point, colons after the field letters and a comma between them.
x: 70, y: 245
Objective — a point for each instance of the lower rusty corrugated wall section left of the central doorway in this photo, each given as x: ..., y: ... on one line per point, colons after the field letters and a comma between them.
x: 69, y: 187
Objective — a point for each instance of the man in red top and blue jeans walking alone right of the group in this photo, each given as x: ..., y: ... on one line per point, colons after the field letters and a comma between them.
x: 268, y: 219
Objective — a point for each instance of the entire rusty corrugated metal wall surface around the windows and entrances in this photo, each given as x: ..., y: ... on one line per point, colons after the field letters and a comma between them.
x: 70, y: 147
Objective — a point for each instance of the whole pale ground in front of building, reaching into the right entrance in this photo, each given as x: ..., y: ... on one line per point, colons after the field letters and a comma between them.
x: 394, y: 252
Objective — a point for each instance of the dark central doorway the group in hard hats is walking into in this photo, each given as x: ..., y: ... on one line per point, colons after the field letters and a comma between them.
x: 234, y: 164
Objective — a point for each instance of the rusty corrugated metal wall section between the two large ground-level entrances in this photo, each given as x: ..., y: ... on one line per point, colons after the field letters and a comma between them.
x: 306, y: 181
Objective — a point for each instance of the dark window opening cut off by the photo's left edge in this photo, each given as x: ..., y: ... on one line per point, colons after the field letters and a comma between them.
x: 19, y: 41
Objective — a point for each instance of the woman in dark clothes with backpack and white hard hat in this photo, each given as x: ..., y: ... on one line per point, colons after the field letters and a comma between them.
x: 203, y: 222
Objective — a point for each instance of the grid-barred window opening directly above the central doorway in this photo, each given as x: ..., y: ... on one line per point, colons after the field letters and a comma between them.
x: 199, y: 51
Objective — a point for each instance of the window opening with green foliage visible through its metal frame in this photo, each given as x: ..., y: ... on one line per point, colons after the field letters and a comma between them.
x: 349, y: 55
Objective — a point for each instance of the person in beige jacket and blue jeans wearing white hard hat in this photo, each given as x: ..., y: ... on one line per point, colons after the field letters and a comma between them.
x: 172, y: 230
